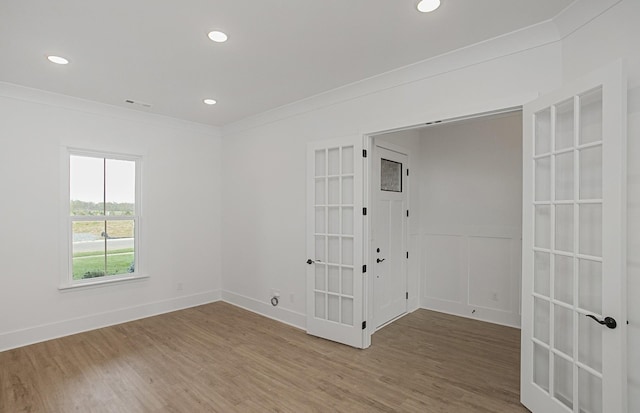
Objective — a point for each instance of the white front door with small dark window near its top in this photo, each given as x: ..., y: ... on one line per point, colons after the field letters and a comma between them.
x: 389, y: 235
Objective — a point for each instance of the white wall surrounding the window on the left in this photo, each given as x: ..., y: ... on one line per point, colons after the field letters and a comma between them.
x: 180, y: 218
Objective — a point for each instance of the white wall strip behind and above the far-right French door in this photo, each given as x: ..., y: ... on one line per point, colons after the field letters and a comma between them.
x: 612, y: 36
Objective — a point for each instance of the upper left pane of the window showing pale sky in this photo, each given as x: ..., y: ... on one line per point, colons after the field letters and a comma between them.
x: 86, y: 185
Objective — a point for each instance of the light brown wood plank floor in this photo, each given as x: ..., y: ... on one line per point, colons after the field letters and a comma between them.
x: 219, y: 358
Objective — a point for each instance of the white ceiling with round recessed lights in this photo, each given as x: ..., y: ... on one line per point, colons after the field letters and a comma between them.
x: 279, y: 51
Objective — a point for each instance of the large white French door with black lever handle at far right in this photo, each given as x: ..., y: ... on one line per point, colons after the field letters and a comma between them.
x: 574, y: 248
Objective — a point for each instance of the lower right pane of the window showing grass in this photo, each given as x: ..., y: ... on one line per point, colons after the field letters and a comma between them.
x: 120, y: 247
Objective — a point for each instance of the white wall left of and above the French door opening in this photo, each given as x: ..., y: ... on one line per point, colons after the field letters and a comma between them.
x: 264, y: 195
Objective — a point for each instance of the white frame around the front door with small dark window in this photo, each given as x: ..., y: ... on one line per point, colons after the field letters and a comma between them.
x: 369, y: 241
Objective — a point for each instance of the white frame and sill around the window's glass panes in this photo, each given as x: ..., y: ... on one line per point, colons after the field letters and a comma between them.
x: 66, y: 250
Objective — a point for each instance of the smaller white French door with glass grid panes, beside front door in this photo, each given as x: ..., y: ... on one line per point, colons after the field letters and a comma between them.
x: 334, y: 240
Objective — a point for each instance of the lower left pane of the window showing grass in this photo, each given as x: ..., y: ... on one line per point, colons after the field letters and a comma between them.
x: 88, y: 249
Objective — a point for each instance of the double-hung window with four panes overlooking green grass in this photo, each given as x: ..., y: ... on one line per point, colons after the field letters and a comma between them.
x: 103, y: 218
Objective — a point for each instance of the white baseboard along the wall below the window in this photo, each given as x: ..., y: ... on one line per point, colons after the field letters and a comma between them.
x: 31, y: 335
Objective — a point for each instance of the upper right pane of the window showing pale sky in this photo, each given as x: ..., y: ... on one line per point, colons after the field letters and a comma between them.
x: 120, y: 182
